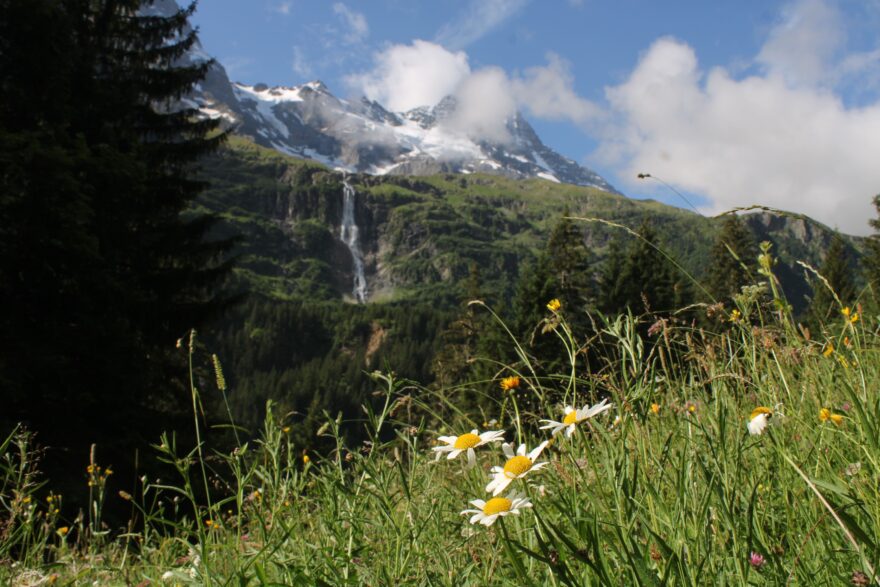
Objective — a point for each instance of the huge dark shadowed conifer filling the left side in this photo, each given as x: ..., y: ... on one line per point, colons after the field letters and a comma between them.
x: 103, y: 266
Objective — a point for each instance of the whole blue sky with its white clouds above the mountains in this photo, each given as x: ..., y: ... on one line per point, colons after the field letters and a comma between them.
x: 731, y: 102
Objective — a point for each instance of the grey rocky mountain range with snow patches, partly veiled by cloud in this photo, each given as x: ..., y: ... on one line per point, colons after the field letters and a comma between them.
x: 362, y: 136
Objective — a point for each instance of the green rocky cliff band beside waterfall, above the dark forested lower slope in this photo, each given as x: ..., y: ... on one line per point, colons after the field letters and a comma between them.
x: 418, y: 236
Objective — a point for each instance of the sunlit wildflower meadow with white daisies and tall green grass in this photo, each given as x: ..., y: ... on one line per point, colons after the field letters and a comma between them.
x: 744, y: 453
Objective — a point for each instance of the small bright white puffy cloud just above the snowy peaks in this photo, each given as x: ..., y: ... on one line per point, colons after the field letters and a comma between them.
x: 408, y: 76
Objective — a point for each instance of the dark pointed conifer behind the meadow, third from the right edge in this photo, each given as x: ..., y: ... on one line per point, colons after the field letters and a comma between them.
x: 731, y: 260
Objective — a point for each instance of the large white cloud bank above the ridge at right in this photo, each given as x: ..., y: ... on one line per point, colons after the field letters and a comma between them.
x: 771, y: 139
